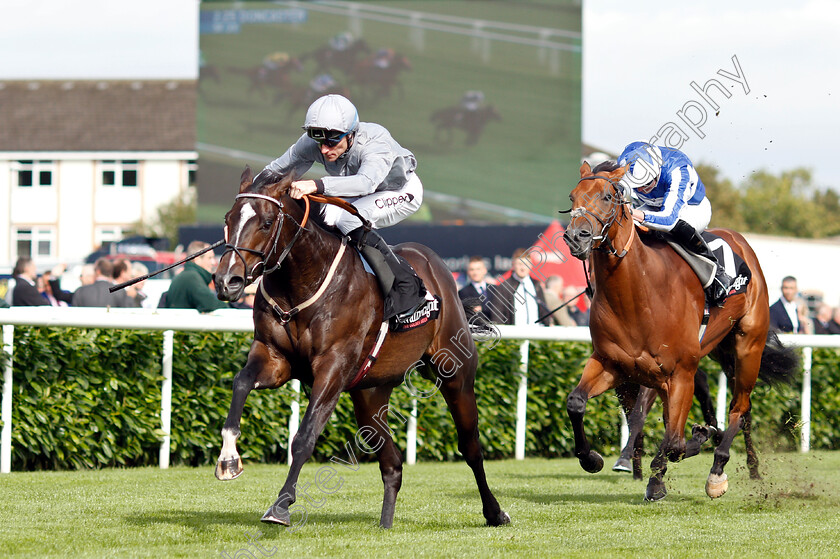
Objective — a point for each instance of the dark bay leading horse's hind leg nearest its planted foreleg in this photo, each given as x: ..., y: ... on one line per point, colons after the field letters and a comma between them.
x: 371, y: 409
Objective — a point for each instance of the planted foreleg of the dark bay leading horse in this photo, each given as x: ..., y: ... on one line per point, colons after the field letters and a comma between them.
x: 325, y: 392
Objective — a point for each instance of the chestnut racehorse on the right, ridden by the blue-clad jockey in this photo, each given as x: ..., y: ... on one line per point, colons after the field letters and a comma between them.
x: 645, y: 320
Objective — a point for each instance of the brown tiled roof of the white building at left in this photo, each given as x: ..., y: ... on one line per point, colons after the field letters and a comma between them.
x: 98, y: 115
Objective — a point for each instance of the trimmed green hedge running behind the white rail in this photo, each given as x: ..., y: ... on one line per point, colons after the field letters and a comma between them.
x: 91, y: 398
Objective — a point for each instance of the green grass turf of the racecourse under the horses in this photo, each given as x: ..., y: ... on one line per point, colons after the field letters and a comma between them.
x: 556, y: 509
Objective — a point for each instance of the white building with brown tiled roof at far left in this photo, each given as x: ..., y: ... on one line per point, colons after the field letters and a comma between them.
x: 82, y: 161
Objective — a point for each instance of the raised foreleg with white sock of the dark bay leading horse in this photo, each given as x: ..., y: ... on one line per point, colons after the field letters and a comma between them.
x: 261, y: 371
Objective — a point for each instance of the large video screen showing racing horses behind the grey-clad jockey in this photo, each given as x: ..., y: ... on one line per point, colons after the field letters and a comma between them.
x: 487, y: 94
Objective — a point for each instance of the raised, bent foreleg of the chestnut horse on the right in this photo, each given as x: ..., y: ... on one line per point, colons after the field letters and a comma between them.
x: 594, y: 381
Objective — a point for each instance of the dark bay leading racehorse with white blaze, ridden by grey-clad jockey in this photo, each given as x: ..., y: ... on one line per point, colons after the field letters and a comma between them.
x: 325, y: 343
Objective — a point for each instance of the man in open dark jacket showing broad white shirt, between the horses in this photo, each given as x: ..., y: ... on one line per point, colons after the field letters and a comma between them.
x: 518, y: 300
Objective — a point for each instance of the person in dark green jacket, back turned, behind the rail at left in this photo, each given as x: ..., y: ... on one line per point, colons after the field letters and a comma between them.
x: 191, y: 288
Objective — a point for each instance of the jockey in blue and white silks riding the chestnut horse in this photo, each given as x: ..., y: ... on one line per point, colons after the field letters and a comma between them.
x: 668, y: 196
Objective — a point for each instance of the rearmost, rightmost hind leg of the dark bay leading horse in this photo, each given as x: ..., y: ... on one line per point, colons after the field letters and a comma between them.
x: 459, y: 392
